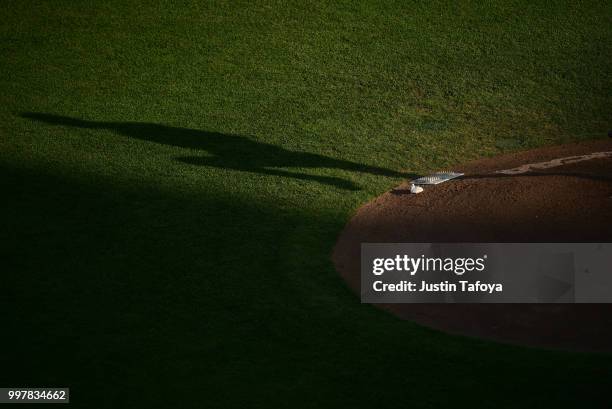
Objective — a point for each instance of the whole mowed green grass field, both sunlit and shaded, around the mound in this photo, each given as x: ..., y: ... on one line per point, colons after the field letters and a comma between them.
x: 174, y: 176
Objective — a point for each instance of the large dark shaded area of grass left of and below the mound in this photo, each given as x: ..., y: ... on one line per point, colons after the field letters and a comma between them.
x: 164, y: 309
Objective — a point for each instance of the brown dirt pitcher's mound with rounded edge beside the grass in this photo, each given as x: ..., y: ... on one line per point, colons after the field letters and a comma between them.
x: 552, y: 194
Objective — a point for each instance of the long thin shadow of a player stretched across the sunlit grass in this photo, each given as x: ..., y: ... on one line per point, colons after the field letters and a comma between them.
x: 228, y: 151
